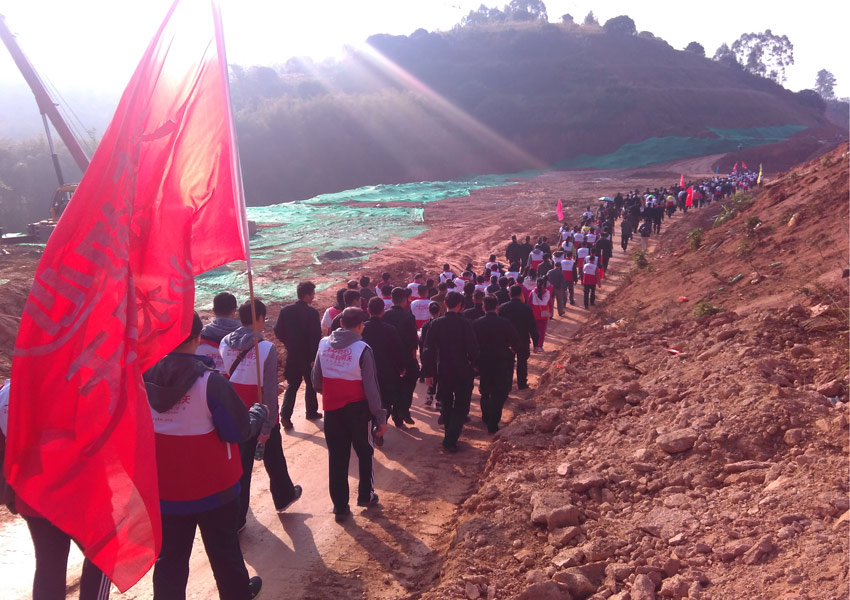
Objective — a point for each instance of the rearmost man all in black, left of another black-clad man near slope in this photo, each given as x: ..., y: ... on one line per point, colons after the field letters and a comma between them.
x: 450, y: 353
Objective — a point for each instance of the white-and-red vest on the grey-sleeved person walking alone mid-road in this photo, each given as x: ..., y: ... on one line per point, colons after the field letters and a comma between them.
x: 342, y: 381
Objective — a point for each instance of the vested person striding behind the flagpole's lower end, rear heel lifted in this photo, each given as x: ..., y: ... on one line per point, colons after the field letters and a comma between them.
x: 240, y: 360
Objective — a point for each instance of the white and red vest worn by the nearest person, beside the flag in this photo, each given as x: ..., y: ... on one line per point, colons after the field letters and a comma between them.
x: 192, y: 461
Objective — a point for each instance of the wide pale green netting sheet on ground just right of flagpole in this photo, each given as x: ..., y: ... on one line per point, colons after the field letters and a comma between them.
x: 295, y: 237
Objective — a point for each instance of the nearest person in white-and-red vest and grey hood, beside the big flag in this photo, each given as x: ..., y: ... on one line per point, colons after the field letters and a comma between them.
x: 198, y: 419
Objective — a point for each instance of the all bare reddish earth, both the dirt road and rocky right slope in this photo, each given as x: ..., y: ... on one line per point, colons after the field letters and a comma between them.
x: 753, y: 506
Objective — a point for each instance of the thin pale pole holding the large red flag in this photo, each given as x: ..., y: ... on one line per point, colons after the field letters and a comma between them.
x: 238, y: 189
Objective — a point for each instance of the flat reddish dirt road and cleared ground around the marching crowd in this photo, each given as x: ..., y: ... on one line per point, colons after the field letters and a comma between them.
x: 395, y: 550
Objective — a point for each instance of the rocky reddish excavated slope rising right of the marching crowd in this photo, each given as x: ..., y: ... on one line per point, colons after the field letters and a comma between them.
x: 692, y: 442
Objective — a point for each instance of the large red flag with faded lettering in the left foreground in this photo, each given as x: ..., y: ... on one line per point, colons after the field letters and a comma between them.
x: 114, y: 292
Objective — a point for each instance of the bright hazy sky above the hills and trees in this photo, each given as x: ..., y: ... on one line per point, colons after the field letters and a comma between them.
x: 96, y: 44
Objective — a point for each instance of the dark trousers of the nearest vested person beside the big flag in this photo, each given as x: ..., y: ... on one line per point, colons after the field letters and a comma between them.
x: 221, y: 542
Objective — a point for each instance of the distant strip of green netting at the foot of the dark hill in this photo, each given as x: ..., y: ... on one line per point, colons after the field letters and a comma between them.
x: 660, y: 150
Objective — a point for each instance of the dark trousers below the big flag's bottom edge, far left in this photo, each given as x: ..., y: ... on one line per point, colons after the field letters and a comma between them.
x: 51, y: 563
